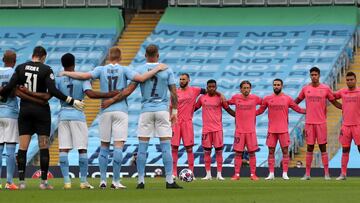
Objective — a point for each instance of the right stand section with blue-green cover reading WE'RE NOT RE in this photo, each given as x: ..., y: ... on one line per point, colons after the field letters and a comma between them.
x: 206, y: 44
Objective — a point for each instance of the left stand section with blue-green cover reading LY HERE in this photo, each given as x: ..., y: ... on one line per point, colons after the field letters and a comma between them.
x: 87, y: 33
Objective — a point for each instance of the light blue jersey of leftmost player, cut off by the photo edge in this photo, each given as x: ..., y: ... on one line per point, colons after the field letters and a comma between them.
x: 10, y: 108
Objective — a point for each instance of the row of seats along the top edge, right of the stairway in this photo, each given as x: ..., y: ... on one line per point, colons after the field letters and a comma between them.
x: 260, y: 2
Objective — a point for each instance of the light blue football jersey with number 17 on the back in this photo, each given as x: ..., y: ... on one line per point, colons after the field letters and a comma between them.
x: 113, y: 77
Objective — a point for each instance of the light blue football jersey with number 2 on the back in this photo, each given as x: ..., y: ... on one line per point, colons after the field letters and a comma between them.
x: 155, y: 90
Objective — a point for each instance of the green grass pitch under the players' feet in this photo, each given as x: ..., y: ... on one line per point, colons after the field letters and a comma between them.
x: 316, y: 190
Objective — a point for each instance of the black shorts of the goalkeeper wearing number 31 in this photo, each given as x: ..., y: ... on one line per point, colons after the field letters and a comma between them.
x: 34, y: 119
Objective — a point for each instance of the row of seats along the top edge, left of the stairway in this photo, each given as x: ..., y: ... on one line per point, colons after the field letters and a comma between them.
x: 61, y: 3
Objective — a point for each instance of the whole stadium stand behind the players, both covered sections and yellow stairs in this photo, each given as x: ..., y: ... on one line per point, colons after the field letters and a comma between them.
x: 204, y: 43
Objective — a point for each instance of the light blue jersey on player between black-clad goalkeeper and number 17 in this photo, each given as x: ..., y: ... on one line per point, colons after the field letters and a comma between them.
x: 75, y: 89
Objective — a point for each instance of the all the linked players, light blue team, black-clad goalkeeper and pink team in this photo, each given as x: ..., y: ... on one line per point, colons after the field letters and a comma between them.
x: 34, y: 83
